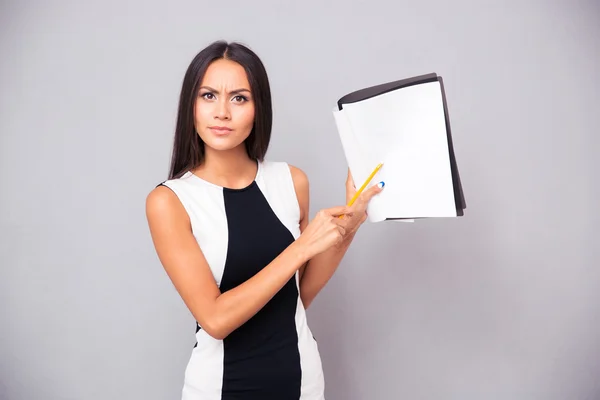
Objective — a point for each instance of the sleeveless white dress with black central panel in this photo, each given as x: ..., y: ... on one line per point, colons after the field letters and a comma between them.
x: 274, y: 354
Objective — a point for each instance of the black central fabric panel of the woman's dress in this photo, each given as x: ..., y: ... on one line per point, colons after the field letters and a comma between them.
x: 261, y: 358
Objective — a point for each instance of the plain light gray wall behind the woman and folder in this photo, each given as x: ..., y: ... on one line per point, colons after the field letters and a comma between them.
x: 500, y: 304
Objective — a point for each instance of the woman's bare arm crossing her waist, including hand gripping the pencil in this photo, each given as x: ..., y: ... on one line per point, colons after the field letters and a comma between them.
x: 221, y: 313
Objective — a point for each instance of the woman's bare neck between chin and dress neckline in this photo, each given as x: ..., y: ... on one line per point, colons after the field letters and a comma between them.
x: 232, y: 168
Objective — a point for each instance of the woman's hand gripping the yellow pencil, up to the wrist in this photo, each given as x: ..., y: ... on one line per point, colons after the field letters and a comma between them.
x: 324, y: 231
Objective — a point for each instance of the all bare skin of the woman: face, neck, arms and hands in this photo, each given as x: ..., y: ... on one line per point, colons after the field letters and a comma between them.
x: 316, y: 254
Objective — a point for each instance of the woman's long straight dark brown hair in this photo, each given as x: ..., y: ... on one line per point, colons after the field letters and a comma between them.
x: 188, y: 148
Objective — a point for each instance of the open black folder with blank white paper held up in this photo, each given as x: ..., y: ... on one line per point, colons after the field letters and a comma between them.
x: 404, y: 125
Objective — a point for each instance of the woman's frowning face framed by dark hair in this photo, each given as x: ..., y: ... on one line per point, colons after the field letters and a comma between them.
x: 224, y: 109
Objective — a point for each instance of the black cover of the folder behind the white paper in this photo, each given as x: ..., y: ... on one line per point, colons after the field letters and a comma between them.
x: 366, y: 93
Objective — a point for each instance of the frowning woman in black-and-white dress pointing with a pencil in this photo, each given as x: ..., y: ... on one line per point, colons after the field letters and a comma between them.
x: 233, y: 234
